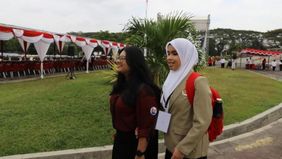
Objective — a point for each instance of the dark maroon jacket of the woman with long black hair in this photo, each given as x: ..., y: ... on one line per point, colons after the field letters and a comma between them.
x: 143, y: 116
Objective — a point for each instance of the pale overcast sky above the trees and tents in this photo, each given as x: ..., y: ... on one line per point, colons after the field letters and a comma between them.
x: 63, y: 16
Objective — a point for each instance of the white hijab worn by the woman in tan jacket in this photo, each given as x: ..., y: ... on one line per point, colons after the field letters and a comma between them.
x: 188, y: 55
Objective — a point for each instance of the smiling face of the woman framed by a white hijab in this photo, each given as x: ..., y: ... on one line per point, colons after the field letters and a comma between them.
x: 172, y: 59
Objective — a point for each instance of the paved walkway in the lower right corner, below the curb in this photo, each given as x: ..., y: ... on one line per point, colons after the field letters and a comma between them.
x: 263, y: 143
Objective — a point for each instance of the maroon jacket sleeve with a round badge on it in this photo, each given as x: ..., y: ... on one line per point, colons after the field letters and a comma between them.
x: 146, y: 113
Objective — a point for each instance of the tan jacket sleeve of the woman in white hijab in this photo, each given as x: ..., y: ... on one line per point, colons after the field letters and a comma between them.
x: 202, y: 114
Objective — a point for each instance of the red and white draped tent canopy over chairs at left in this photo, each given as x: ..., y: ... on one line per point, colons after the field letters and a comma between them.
x: 43, y: 39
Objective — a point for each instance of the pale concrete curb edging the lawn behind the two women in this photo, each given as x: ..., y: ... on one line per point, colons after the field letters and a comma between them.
x: 104, y: 152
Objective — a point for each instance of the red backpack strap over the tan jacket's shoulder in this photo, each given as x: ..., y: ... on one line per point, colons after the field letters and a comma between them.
x: 190, y: 86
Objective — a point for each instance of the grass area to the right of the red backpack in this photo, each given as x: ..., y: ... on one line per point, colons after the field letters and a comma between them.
x: 245, y: 94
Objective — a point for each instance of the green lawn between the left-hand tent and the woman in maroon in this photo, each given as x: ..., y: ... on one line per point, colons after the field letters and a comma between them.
x: 53, y: 114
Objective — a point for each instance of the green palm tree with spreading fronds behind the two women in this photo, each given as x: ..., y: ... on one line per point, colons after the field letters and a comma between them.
x: 154, y: 35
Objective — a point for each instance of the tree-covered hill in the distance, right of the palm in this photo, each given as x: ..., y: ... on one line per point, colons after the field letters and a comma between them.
x: 228, y: 41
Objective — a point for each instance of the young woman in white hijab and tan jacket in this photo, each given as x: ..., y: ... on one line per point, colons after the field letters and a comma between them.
x: 186, y: 135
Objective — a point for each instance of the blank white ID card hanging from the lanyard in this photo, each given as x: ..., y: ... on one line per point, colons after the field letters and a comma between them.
x: 163, y: 121
